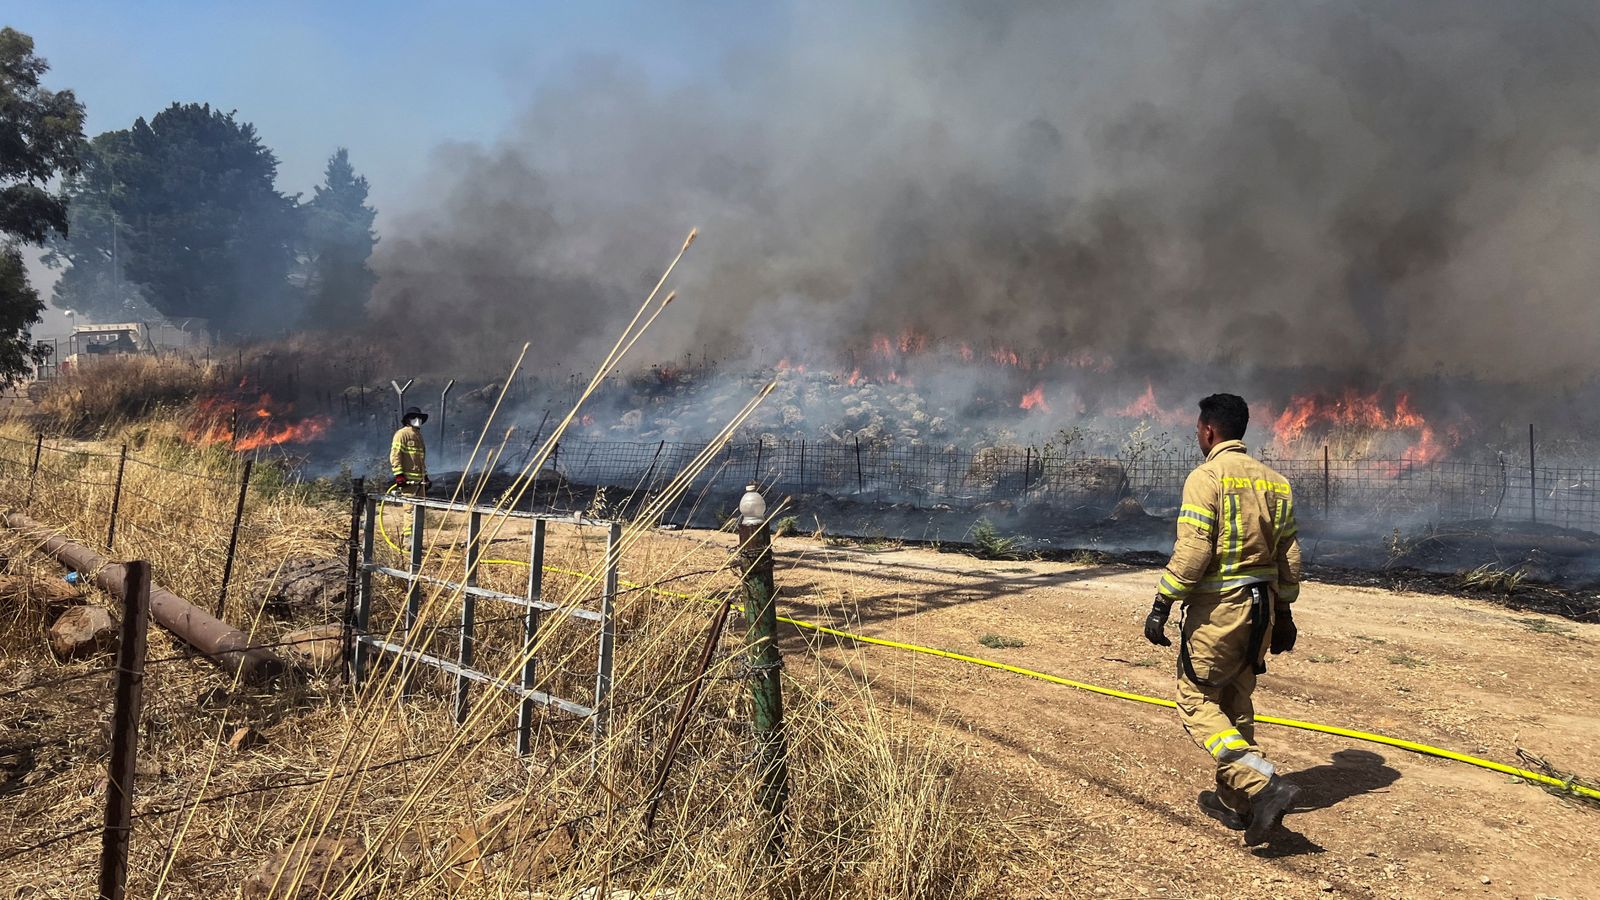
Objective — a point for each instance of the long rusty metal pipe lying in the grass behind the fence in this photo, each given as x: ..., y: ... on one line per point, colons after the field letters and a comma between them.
x: 223, y: 645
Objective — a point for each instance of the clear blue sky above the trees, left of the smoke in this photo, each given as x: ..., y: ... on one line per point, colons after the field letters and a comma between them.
x: 388, y: 81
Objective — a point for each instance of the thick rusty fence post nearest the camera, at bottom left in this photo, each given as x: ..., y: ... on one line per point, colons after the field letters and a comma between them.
x: 126, y: 733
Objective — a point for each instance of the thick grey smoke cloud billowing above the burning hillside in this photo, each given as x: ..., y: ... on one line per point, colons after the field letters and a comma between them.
x: 1383, y: 188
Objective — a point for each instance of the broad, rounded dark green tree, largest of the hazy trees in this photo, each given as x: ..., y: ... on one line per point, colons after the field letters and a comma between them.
x: 209, y: 235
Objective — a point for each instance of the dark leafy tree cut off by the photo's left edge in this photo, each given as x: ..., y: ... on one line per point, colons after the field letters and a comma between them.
x: 41, y: 135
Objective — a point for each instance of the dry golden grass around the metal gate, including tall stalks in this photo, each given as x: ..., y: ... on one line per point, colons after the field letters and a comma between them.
x: 876, y: 808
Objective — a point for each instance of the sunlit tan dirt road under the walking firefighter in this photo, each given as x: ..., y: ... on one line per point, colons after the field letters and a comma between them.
x: 1106, y: 789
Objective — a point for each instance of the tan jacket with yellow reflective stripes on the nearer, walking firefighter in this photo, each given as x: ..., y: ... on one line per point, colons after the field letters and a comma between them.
x: 1236, y: 528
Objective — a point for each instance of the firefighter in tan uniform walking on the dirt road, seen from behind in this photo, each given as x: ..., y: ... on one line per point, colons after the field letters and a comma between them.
x: 1236, y: 571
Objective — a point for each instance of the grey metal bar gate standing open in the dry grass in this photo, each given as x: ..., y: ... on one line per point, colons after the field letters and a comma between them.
x: 468, y: 593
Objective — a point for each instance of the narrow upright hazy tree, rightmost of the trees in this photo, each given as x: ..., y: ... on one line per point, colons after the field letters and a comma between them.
x: 338, y: 243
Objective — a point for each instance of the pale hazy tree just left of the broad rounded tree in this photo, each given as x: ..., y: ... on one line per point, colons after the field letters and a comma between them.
x: 92, y: 254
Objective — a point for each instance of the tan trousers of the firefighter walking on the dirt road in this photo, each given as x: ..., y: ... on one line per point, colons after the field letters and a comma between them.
x: 1217, y: 675
